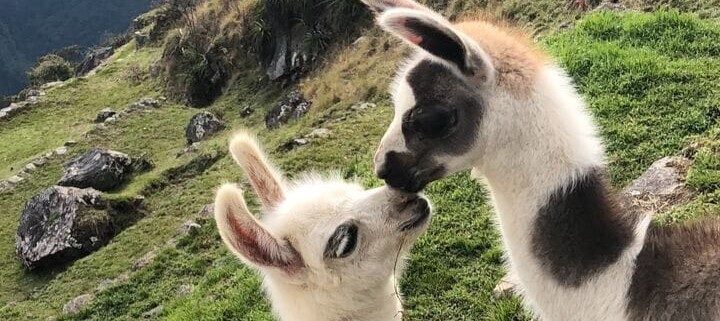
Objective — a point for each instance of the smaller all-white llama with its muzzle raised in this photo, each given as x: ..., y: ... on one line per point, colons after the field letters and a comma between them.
x: 328, y: 249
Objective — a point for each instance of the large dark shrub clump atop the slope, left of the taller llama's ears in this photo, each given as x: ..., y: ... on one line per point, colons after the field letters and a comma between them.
x: 221, y: 38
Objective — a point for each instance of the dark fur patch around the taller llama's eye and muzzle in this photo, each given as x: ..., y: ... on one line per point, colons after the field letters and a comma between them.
x: 439, y: 95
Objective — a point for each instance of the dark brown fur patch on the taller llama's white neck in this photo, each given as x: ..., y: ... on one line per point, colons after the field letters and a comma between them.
x: 581, y: 230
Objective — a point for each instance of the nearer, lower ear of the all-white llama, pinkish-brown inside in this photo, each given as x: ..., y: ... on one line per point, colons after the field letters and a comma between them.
x: 245, y: 237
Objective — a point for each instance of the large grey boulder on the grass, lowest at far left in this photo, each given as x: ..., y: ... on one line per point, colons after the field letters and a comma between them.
x: 61, y: 224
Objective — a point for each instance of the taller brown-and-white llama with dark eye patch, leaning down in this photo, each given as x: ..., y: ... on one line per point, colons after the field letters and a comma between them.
x: 476, y: 96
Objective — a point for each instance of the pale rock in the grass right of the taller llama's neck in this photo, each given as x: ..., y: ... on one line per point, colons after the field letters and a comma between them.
x: 661, y: 187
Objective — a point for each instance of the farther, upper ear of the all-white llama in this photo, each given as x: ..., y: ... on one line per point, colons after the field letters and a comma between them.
x: 264, y: 178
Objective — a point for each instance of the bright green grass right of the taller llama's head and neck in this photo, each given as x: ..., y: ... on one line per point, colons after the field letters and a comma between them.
x: 650, y: 80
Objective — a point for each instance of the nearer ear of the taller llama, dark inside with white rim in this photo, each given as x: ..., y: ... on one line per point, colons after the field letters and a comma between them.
x: 432, y: 33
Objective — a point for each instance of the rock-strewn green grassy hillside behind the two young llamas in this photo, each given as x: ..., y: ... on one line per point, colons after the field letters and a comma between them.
x: 650, y: 80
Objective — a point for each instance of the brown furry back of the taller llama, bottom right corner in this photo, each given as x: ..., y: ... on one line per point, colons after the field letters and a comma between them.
x: 677, y: 274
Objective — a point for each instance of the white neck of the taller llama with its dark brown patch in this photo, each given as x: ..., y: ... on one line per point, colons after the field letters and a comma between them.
x: 566, y: 239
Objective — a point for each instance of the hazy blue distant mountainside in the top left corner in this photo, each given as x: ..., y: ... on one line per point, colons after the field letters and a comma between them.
x: 30, y: 29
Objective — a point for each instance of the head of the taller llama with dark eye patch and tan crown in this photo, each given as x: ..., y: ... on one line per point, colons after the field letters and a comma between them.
x: 456, y: 94
